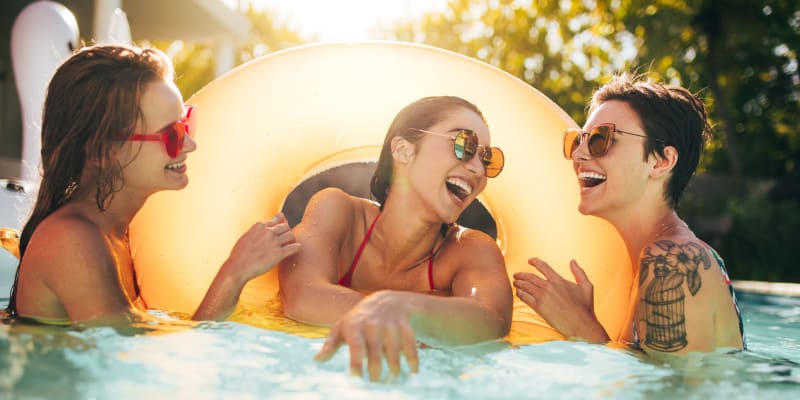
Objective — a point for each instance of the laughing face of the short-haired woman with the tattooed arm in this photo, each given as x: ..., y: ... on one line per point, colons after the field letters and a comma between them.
x: 614, y: 182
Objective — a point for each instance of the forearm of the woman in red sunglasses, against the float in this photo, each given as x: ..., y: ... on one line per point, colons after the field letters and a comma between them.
x: 221, y: 298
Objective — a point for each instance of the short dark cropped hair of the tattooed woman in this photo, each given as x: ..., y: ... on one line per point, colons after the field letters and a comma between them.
x: 667, y: 112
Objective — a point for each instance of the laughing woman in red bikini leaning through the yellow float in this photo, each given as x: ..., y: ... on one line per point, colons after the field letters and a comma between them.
x: 384, y: 274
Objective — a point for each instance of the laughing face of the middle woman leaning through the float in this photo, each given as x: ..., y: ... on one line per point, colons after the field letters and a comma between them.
x: 446, y: 184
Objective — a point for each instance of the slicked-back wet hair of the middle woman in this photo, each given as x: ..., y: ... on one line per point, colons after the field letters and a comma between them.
x: 421, y: 114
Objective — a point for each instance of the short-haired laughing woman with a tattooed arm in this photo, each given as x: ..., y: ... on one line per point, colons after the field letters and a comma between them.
x: 638, y: 150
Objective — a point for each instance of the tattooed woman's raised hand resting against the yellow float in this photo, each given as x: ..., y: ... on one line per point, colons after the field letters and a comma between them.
x: 568, y: 307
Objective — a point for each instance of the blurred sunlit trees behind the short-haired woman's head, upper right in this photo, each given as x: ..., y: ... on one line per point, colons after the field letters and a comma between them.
x: 740, y: 55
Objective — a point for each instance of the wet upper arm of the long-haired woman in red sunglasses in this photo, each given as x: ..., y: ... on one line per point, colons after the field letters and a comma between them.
x: 75, y: 263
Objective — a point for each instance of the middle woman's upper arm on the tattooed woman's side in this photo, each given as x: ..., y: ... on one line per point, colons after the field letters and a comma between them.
x: 482, y: 274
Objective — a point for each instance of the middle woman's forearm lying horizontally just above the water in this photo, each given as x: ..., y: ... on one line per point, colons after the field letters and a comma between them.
x: 454, y: 320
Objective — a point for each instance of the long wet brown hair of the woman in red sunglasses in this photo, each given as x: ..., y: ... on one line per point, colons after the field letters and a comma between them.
x: 92, y: 103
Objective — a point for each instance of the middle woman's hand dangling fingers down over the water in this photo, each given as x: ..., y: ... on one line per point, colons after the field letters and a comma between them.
x: 376, y: 327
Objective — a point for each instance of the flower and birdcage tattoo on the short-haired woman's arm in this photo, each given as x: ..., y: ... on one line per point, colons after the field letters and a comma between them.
x: 664, y: 312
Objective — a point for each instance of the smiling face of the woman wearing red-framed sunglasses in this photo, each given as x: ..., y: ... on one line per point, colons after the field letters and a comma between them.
x: 147, y: 166
